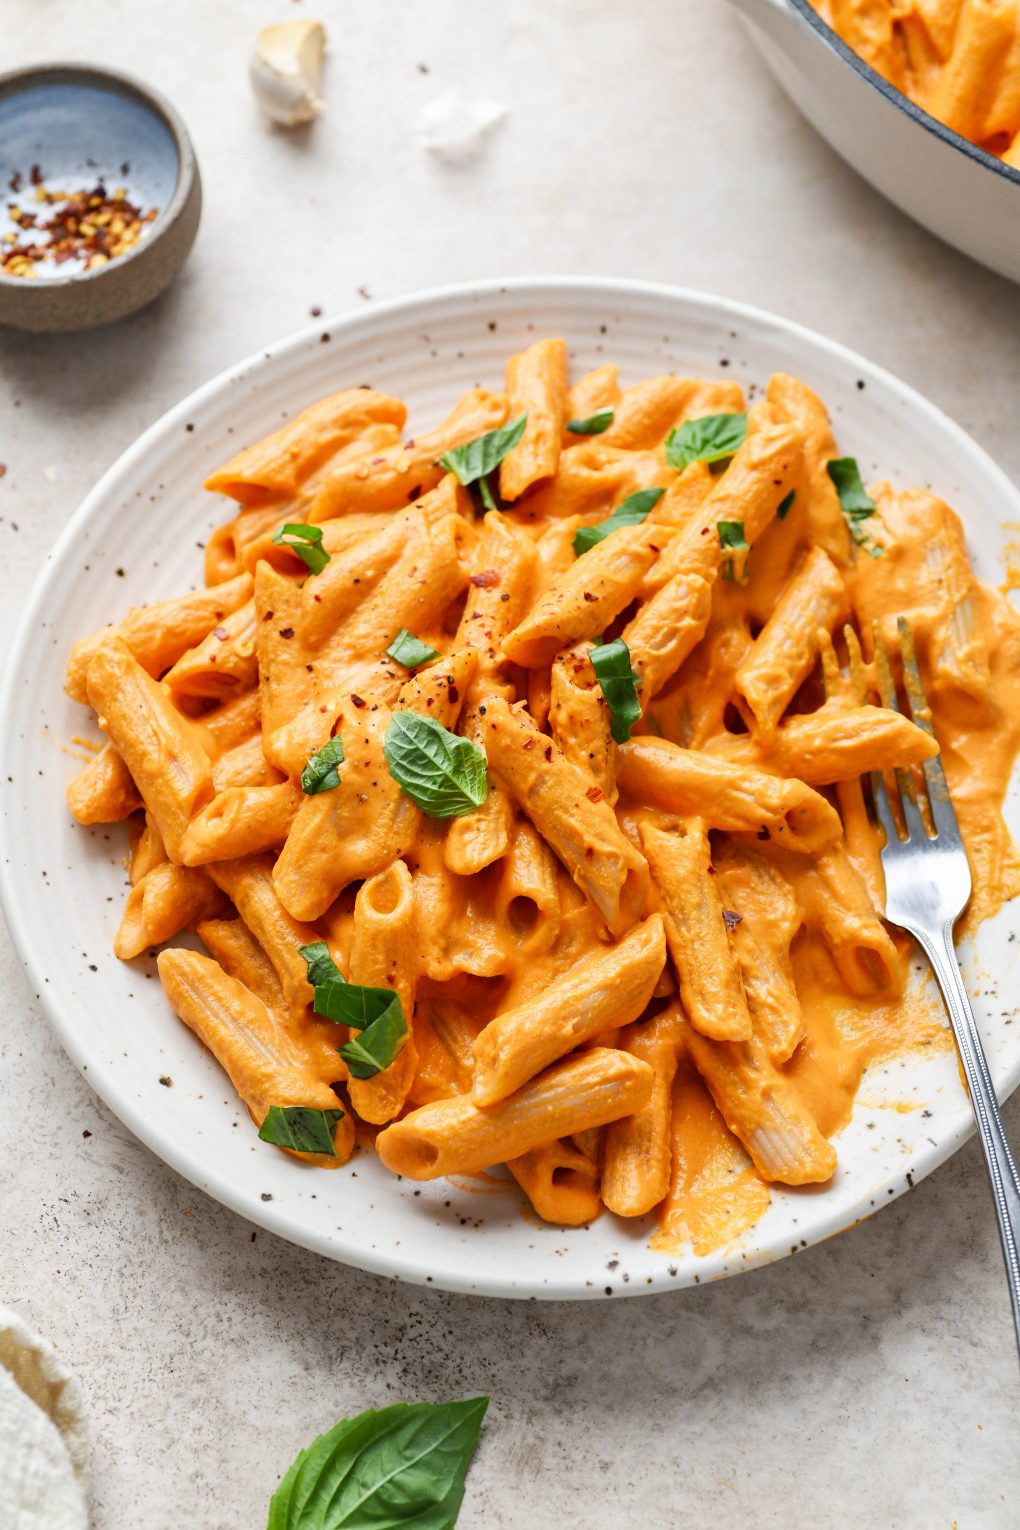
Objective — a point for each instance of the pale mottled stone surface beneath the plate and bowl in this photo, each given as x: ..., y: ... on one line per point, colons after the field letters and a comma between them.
x: 869, y: 1382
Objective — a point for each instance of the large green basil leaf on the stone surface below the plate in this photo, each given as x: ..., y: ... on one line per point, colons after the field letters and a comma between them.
x: 401, y: 1468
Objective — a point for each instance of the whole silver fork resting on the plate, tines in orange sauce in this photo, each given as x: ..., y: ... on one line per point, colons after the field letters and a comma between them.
x: 927, y: 887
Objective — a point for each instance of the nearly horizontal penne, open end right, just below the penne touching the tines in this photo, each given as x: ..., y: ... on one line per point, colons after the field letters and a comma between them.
x: 738, y: 798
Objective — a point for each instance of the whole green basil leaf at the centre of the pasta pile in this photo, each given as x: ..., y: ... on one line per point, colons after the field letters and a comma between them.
x: 443, y: 773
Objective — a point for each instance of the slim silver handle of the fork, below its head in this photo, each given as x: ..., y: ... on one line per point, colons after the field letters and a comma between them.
x: 1002, y: 1170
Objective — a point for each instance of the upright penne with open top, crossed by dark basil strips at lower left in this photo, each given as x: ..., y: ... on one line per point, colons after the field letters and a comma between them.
x: 385, y: 955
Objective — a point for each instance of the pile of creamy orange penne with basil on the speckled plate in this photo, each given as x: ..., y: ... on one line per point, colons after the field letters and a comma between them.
x: 512, y: 778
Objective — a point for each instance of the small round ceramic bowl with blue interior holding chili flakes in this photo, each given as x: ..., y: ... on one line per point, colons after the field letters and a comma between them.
x: 73, y: 128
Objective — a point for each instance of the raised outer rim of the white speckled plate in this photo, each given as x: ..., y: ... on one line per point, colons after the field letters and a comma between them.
x: 247, y: 1203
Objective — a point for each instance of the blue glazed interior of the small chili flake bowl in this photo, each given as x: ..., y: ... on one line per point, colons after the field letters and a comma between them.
x: 79, y: 134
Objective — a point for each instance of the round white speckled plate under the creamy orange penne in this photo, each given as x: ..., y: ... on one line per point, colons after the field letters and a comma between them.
x: 137, y: 538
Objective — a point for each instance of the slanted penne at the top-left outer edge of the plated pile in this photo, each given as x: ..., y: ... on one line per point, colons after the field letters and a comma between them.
x: 278, y: 466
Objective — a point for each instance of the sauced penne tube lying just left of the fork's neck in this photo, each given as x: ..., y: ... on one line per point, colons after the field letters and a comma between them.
x: 836, y: 903
